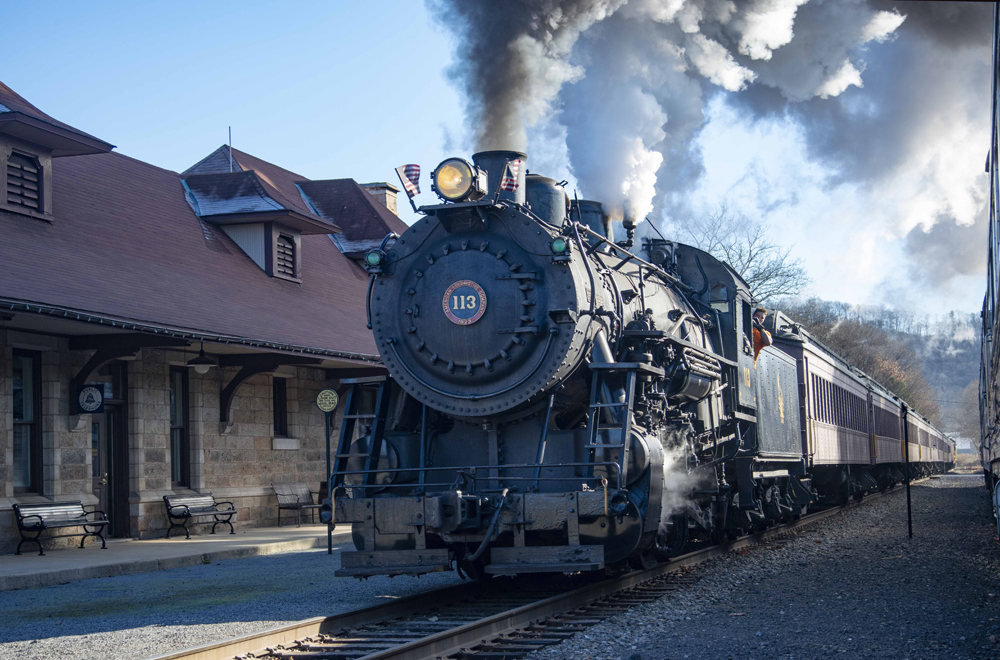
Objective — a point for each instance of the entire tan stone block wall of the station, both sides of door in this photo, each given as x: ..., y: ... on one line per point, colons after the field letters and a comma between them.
x: 237, y: 462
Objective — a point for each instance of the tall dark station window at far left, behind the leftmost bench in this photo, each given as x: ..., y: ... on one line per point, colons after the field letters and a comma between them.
x: 27, y: 403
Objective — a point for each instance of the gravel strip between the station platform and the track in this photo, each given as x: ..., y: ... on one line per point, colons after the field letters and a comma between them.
x: 138, y: 616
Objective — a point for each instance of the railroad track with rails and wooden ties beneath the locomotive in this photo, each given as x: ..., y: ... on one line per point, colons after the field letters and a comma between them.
x: 498, y: 620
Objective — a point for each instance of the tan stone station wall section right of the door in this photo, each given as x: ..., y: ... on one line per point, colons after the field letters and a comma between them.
x: 237, y: 462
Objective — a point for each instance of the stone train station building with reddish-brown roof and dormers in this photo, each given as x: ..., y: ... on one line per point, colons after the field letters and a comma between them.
x: 167, y: 333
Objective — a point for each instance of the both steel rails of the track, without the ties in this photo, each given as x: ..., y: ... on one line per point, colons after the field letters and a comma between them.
x: 483, y: 630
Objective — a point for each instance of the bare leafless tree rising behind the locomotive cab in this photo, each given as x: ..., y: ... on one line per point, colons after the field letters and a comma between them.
x: 746, y: 246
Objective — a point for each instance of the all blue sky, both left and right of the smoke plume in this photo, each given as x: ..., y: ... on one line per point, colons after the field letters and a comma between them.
x: 348, y: 89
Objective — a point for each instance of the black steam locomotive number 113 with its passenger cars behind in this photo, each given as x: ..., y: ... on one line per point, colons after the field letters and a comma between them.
x: 562, y: 401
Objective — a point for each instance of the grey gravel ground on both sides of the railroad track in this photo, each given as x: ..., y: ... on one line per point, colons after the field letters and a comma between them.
x: 851, y: 586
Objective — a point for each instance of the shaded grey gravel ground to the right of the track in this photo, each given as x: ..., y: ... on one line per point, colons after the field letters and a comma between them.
x: 856, y: 587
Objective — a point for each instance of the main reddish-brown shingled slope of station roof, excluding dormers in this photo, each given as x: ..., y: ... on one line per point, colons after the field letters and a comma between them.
x: 124, y: 242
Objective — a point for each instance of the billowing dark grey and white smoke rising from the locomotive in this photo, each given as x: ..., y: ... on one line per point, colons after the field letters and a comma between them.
x: 892, y: 99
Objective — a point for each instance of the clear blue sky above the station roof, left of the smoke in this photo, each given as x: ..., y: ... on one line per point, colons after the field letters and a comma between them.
x: 326, y: 89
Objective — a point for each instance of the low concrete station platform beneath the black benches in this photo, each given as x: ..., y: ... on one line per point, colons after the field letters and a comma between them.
x: 128, y: 556
